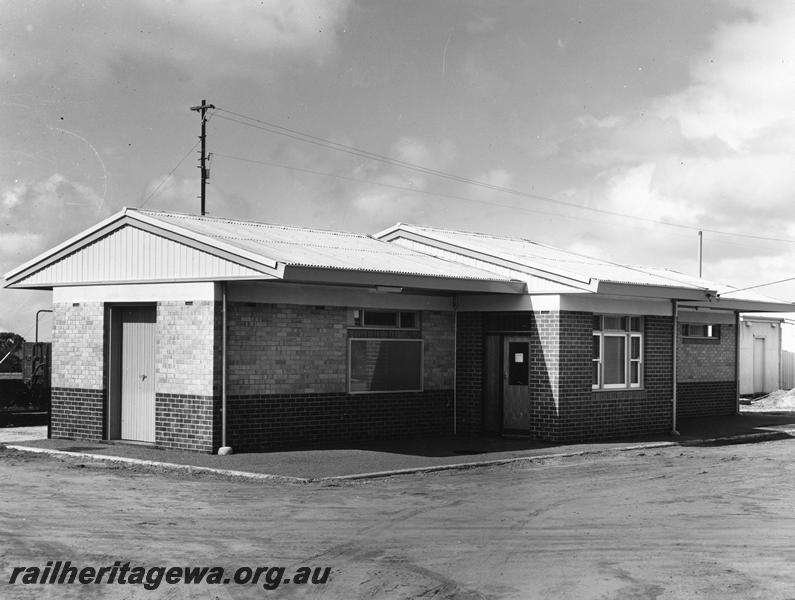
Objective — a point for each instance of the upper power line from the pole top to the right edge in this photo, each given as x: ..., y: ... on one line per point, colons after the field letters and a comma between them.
x: 330, y: 144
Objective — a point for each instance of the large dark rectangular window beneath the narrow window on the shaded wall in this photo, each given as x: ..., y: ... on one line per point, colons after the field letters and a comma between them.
x: 385, y: 365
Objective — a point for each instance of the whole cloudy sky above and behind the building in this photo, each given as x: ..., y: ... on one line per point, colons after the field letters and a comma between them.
x: 616, y: 128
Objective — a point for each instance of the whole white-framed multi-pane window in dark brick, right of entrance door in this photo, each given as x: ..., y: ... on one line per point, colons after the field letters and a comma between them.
x: 617, y: 352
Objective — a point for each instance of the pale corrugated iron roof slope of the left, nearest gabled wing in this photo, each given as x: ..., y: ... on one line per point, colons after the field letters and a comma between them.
x: 318, y: 248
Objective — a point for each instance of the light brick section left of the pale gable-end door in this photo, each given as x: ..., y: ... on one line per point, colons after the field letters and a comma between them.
x: 78, y: 342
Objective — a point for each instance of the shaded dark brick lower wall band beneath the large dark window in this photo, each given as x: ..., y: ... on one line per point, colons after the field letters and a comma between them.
x: 261, y: 422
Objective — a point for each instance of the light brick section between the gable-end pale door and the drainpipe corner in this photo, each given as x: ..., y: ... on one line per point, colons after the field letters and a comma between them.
x: 186, y: 344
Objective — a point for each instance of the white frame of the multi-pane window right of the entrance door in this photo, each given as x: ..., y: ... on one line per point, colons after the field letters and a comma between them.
x: 628, y: 333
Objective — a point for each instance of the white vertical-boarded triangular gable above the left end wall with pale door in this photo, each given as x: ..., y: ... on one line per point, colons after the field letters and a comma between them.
x: 129, y: 254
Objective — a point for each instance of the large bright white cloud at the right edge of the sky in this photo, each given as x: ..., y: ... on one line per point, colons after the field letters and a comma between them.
x: 717, y: 153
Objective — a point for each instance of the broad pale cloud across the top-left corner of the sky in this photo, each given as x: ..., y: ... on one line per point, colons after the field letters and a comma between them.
x: 90, y: 40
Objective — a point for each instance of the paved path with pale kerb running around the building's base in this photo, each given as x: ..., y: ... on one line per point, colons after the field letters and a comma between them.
x: 380, y: 459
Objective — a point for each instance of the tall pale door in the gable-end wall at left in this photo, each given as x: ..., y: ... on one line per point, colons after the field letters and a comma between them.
x: 138, y: 374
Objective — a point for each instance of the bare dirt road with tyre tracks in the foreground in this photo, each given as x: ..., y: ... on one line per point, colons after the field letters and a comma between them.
x: 672, y: 523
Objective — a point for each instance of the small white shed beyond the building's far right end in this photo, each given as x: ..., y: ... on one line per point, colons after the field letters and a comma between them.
x: 761, y: 355
